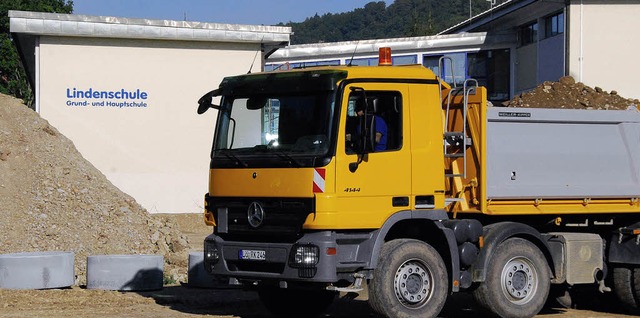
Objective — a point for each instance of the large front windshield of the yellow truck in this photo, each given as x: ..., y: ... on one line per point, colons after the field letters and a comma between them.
x: 290, y: 129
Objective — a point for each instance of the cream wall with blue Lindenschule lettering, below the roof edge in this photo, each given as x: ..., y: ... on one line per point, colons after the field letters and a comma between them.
x: 158, y: 150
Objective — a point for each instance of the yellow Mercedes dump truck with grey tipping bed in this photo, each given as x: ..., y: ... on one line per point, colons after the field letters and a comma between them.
x: 336, y: 179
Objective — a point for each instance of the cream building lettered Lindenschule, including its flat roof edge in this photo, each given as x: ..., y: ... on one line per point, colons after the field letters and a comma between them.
x: 125, y: 91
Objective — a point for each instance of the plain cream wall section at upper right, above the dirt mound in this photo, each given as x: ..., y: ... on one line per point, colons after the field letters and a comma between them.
x: 604, y: 44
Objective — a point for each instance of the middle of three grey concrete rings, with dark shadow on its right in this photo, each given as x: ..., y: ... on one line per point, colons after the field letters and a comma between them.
x: 125, y: 272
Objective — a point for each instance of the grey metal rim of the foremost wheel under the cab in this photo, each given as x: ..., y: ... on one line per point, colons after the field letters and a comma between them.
x: 413, y: 283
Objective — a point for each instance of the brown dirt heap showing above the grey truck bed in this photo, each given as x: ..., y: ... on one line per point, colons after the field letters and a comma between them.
x: 566, y: 93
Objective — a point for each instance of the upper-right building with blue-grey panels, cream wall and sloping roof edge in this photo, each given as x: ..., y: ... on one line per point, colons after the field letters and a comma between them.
x: 591, y: 40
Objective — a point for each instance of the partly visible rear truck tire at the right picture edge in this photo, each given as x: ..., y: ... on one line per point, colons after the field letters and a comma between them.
x: 626, y: 285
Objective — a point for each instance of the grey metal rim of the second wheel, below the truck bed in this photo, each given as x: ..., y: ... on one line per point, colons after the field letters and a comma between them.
x: 519, y: 280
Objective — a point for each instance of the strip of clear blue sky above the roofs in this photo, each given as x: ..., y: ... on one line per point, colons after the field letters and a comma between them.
x: 257, y: 12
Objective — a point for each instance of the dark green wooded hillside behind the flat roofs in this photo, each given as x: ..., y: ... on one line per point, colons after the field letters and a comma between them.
x: 402, y: 18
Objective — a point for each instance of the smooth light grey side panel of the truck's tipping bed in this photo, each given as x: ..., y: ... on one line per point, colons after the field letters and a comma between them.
x: 562, y: 154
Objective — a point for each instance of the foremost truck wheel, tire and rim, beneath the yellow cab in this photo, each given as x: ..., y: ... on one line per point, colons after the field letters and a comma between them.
x: 410, y: 280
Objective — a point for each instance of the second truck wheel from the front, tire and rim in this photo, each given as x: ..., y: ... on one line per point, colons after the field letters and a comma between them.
x: 517, y: 280
